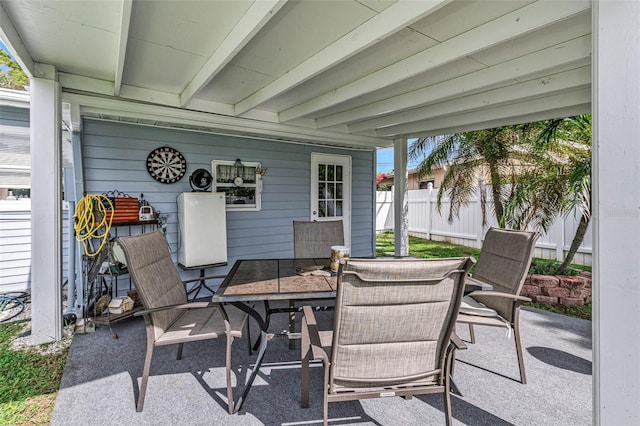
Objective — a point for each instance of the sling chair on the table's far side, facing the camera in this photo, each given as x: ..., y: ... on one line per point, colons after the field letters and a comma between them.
x: 311, y: 240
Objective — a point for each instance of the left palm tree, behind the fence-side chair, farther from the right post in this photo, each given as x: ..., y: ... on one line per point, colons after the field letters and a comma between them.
x: 489, y: 154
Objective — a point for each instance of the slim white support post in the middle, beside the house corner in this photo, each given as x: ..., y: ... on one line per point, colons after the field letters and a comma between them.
x: 400, y: 205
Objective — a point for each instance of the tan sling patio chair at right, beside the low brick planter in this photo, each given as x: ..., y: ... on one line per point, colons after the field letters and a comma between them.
x: 503, y: 264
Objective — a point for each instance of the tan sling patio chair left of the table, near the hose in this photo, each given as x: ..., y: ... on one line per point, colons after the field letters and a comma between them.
x: 169, y: 318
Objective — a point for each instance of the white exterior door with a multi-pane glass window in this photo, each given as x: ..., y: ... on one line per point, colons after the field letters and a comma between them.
x: 331, y: 190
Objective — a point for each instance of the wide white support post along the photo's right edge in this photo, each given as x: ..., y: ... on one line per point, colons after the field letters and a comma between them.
x: 616, y: 212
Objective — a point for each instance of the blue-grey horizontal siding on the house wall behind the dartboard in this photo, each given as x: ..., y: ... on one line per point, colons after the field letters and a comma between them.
x: 114, y: 157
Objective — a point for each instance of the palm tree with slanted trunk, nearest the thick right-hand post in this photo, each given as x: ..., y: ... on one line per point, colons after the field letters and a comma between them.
x: 559, y: 182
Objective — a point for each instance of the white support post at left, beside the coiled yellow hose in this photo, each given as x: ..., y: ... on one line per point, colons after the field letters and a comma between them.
x: 46, y: 203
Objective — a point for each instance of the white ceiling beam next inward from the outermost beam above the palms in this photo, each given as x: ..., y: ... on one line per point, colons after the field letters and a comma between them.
x: 544, y: 86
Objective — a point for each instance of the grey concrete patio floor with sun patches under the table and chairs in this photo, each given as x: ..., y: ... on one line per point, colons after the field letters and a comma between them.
x: 101, y: 377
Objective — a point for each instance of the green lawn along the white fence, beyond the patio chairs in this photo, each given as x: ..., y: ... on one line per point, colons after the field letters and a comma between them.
x: 422, y: 248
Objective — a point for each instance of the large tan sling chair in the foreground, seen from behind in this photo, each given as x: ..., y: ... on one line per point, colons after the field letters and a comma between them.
x: 392, y: 333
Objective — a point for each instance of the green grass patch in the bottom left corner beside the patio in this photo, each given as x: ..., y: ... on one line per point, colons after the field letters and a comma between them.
x: 29, y: 379
